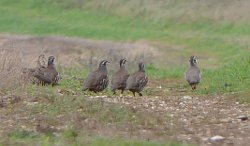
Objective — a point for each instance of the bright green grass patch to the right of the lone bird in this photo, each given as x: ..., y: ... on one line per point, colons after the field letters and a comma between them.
x: 233, y: 77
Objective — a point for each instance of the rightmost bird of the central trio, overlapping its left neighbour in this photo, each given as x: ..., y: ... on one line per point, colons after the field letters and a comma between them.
x: 137, y: 81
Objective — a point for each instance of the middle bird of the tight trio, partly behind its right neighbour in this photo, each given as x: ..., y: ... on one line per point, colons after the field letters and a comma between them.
x: 120, y: 77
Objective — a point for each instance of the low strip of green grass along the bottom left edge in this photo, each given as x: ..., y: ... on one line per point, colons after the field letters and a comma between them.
x: 22, y: 137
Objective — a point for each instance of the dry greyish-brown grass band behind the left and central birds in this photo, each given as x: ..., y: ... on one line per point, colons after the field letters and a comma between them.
x: 79, y: 52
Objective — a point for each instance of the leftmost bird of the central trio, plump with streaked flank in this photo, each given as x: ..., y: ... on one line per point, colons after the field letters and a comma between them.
x: 97, y: 80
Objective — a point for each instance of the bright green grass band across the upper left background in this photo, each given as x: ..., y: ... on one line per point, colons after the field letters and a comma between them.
x: 33, y: 18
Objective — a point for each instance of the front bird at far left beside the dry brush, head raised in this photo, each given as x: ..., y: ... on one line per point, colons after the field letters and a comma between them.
x: 49, y: 74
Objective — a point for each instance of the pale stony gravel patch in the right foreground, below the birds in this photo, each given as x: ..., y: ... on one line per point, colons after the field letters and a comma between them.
x: 201, y: 120
